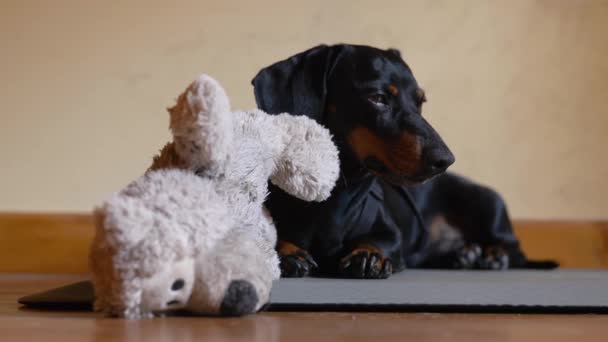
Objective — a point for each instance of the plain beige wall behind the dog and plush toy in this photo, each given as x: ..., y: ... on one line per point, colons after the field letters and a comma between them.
x: 518, y: 89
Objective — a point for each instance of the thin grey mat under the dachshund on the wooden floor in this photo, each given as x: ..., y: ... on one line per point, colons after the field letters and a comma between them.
x: 558, y: 291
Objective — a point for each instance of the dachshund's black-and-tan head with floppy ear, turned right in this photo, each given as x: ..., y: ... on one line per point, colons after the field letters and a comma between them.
x: 371, y: 102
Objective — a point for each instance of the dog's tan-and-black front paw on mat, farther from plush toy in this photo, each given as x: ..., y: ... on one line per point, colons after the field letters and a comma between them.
x: 365, y: 262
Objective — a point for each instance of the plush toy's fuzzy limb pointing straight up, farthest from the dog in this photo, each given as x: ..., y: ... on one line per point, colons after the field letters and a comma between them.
x: 201, y: 124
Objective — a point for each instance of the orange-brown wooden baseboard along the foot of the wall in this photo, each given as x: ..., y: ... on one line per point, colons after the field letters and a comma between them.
x: 40, y: 242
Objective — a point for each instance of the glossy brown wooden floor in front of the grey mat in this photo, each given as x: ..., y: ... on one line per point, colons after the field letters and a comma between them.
x: 20, y: 324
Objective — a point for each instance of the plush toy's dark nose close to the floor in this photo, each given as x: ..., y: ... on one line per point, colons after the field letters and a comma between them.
x: 240, y: 299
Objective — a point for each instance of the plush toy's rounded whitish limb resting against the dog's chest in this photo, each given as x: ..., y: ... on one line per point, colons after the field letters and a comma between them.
x: 308, y: 165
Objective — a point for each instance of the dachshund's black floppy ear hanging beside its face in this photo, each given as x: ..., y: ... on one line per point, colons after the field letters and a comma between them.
x: 296, y: 85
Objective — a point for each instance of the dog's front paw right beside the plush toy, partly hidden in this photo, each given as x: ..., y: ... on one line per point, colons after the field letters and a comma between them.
x: 295, y: 262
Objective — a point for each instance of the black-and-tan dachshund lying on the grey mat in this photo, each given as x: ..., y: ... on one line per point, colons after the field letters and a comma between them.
x: 394, y: 207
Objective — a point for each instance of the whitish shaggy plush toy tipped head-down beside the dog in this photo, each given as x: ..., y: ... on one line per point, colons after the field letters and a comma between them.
x: 192, y: 233
